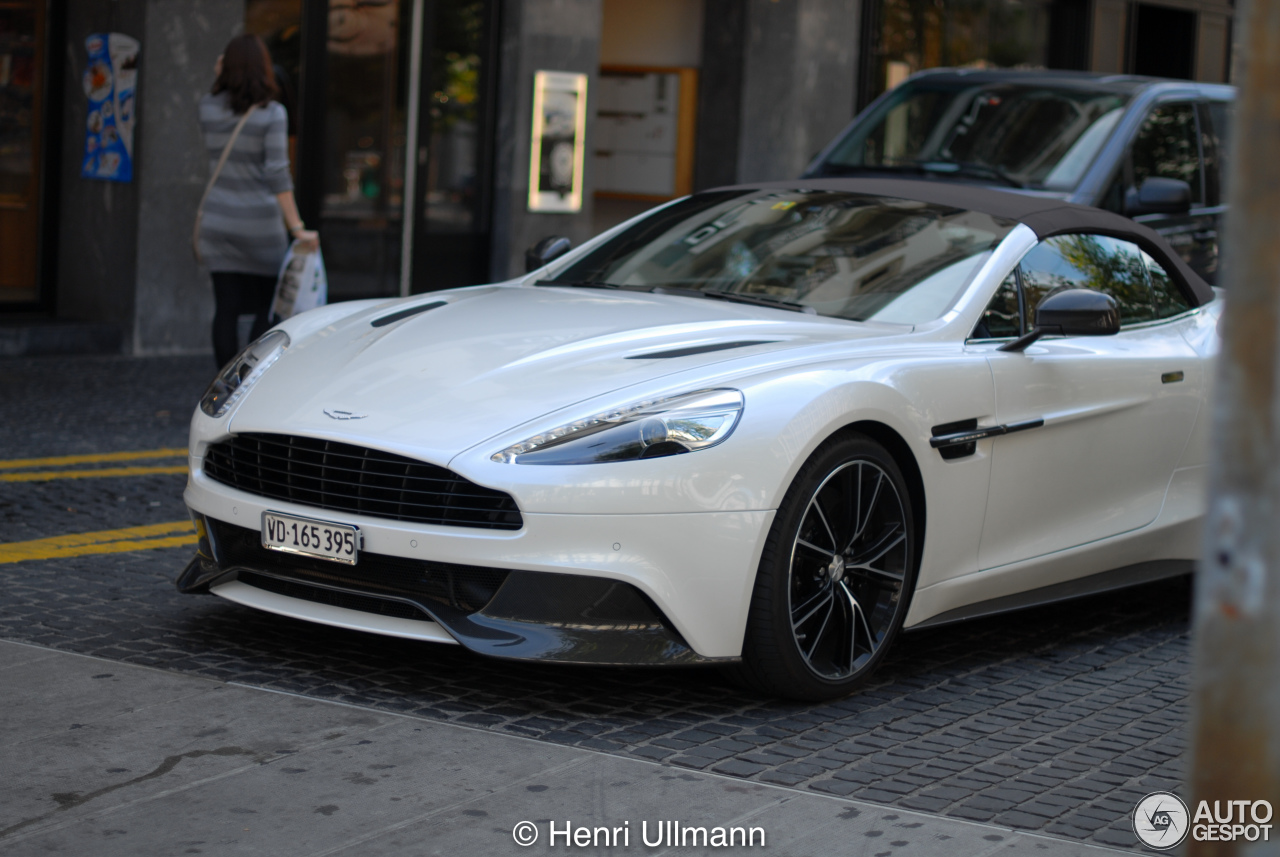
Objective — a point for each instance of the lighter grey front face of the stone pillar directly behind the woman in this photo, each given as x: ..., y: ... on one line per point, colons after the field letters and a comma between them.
x: 175, y: 304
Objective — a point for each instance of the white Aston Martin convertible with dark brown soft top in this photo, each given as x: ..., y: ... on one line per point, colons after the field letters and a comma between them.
x: 766, y: 427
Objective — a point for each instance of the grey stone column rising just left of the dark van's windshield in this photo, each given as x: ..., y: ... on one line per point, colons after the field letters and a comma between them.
x: 770, y: 104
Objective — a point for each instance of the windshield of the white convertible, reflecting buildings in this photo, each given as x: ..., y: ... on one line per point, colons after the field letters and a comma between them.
x: 836, y: 254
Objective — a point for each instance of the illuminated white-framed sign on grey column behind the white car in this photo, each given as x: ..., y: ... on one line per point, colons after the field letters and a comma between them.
x: 559, y: 144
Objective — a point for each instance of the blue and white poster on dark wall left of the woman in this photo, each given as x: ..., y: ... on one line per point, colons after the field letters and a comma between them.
x: 111, y: 85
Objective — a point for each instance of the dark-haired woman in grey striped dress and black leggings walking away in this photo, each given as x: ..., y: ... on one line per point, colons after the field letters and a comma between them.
x: 249, y: 212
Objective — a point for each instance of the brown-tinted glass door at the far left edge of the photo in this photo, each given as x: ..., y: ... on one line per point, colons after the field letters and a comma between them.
x: 22, y: 67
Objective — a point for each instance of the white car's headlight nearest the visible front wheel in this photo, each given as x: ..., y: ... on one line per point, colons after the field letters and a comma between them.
x: 653, y: 429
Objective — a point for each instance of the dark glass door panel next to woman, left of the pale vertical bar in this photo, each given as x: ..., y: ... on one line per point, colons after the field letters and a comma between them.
x: 344, y: 71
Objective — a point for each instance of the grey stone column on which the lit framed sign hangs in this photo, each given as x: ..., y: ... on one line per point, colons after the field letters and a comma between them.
x: 537, y: 35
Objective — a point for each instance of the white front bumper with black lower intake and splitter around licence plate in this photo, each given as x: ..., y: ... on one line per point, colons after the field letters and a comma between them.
x: 574, y: 589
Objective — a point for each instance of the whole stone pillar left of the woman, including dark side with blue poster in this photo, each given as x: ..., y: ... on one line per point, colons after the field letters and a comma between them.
x: 125, y: 249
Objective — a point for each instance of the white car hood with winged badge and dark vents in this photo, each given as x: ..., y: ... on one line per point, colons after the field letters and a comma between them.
x: 493, y: 359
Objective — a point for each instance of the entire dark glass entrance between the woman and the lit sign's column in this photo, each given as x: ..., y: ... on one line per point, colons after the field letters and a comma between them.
x: 367, y: 83
